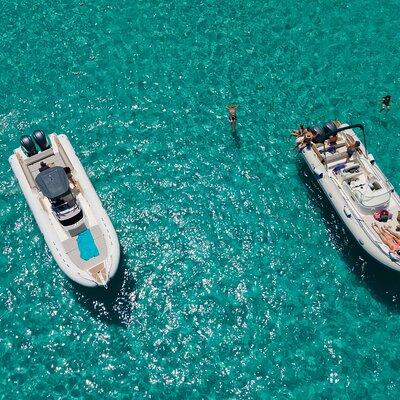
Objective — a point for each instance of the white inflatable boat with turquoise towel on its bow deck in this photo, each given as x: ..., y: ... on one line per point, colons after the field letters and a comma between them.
x: 67, y: 209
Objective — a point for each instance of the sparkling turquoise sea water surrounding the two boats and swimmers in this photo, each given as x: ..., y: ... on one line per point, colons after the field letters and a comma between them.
x: 237, y: 279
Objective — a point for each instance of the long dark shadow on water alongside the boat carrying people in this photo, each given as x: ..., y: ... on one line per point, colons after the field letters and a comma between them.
x: 383, y: 282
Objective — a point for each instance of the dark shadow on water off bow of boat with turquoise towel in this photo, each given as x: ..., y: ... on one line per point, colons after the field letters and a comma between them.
x: 112, y: 305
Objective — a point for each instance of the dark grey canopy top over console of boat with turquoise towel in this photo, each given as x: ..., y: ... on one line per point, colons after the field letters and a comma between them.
x: 53, y: 182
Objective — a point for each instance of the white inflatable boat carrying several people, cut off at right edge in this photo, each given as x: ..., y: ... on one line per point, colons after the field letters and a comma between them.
x: 357, y: 188
